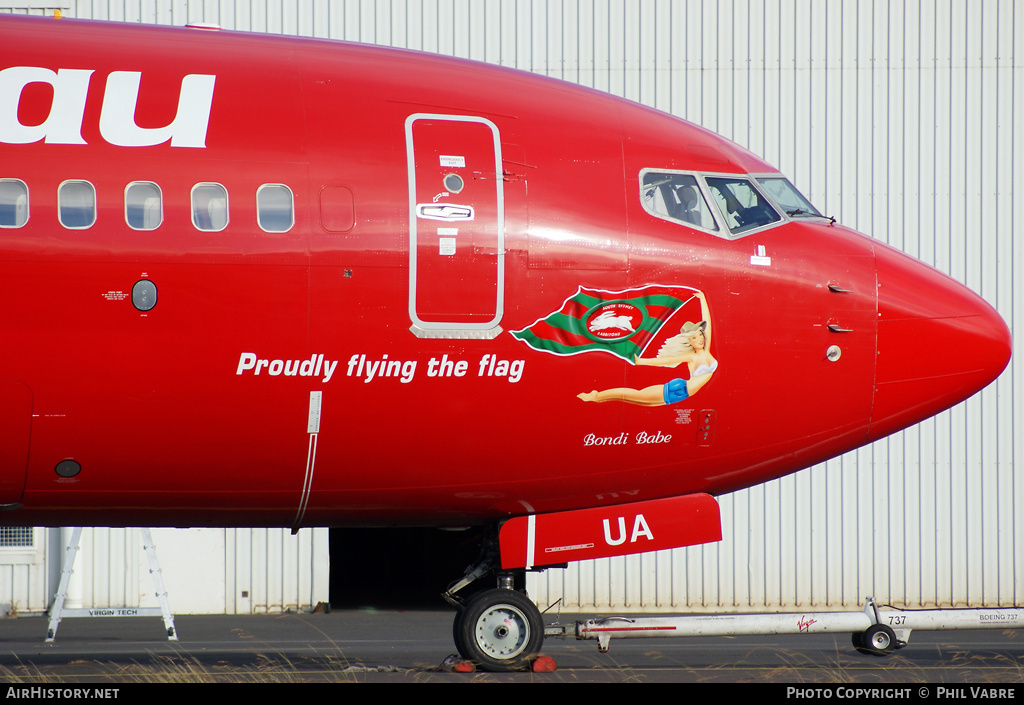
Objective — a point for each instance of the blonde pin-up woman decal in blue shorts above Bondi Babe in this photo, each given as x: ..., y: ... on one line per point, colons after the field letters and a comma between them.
x: 693, y: 347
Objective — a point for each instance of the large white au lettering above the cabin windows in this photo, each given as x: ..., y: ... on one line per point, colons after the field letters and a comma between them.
x: 117, y: 117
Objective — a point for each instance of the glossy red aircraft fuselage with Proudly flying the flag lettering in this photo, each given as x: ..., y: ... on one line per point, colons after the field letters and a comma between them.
x: 394, y: 288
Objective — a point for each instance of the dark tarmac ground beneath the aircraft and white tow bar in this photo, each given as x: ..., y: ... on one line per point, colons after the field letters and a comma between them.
x: 373, y: 646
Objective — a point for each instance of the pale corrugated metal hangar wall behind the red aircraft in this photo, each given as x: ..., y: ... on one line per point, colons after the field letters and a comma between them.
x: 898, y: 117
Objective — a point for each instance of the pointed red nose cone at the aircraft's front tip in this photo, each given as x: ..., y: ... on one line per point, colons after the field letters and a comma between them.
x: 938, y: 344
